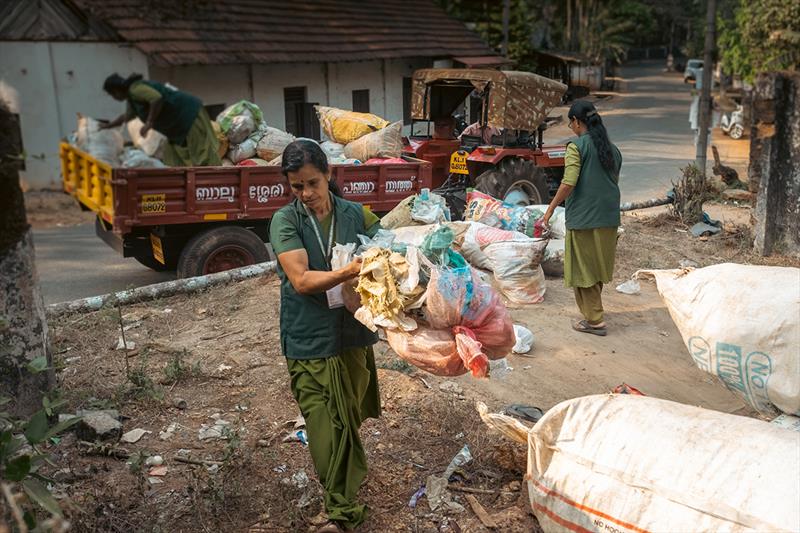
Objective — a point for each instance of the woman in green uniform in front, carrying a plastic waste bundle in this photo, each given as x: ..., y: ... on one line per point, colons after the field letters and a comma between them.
x: 328, y: 353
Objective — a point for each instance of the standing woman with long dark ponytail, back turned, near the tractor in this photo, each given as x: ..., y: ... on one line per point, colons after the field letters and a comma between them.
x: 590, y: 188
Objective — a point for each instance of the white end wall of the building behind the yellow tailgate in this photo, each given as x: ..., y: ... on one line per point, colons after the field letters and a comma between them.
x: 54, y: 81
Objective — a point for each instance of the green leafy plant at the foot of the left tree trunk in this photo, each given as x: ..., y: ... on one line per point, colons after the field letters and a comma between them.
x: 21, y: 457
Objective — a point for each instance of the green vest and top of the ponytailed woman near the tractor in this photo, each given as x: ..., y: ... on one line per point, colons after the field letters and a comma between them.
x: 594, y: 203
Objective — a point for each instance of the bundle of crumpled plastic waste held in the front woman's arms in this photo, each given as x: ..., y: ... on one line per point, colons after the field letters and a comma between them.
x: 436, y: 311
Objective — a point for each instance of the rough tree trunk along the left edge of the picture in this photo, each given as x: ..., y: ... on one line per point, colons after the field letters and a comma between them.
x: 23, y: 327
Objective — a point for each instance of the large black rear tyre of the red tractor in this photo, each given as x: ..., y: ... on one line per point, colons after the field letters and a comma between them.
x: 519, y: 176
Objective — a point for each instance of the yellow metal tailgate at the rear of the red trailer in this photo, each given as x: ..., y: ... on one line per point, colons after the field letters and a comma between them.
x: 88, y: 180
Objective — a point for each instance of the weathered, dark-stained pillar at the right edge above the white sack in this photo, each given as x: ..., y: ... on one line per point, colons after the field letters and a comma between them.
x: 775, y: 162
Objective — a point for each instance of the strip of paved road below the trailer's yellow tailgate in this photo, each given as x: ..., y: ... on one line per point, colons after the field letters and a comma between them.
x: 73, y: 262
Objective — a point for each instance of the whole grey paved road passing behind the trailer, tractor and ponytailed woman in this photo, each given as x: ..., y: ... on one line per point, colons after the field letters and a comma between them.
x: 648, y: 120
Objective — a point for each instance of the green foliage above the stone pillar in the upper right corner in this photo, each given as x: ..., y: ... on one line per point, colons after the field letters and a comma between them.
x: 763, y: 35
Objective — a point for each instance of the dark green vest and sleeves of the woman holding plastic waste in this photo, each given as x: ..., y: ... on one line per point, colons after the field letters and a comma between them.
x: 309, y: 328
